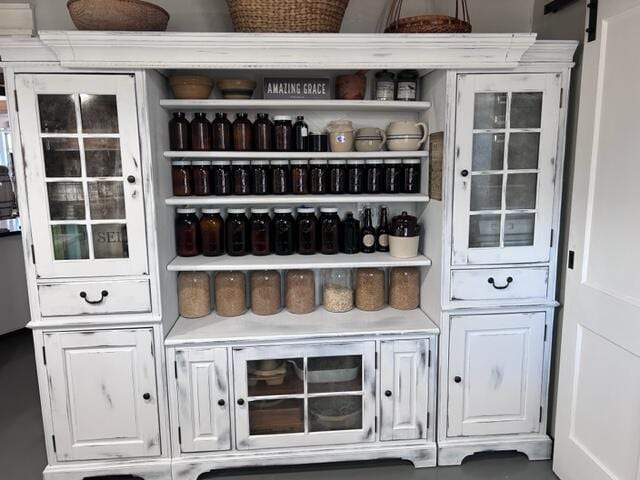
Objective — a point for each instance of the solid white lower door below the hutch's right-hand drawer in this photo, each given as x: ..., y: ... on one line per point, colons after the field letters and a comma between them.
x: 495, y: 373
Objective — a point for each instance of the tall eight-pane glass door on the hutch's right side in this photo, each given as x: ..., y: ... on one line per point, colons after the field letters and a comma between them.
x: 506, y: 138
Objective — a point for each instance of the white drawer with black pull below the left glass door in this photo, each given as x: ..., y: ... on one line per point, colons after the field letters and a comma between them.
x: 94, y: 298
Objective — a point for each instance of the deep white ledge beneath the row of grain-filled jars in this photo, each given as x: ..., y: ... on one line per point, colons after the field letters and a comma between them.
x: 250, y: 327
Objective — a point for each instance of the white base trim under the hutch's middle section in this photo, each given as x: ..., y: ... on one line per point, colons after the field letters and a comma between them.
x: 189, y: 468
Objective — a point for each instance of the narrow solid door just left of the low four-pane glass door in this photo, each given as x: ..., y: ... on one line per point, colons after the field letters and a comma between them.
x: 203, y: 399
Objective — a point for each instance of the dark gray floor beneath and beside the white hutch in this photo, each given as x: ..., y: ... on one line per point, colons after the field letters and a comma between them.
x: 22, y: 455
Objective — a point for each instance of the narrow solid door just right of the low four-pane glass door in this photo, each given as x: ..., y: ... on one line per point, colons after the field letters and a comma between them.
x: 404, y: 389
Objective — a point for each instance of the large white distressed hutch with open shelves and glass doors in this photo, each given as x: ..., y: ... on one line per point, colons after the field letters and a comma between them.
x: 128, y: 387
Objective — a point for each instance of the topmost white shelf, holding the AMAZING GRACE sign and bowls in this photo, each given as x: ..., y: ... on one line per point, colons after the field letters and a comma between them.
x: 299, y: 105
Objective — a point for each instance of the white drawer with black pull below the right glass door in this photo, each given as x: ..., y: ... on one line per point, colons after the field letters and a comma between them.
x: 499, y: 284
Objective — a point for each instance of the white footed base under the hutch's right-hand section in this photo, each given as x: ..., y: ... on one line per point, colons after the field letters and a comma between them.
x: 454, y: 451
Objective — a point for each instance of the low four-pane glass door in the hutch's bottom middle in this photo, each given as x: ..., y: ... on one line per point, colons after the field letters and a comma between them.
x: 304, y: 395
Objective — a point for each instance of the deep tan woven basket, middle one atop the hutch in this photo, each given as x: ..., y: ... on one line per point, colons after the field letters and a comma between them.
x: 287, y: 16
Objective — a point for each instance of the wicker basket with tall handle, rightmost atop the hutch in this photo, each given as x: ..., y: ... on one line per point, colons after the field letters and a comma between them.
x: 428, y: 23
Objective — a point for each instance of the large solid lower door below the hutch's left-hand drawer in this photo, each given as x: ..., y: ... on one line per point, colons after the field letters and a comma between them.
x: 103, y: 394
